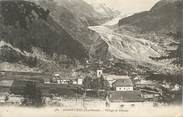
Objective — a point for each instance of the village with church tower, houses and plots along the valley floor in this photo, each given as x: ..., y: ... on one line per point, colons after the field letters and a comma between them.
x: 27, y: 89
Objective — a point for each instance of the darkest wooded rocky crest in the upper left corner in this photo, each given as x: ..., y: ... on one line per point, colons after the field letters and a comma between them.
x: 21, y: 13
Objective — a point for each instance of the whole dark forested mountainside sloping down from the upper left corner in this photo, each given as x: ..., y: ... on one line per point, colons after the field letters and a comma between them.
x: 25, y: 24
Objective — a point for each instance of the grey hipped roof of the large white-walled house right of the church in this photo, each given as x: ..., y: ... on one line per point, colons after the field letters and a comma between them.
x: 122, y: 83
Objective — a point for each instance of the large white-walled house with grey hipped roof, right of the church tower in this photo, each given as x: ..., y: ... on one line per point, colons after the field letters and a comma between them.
x: 123, y: 84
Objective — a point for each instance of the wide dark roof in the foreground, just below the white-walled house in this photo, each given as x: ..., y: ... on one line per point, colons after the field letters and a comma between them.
x: 126, y: 96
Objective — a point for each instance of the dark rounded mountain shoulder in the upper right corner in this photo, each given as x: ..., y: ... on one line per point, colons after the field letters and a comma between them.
x: 163, y: 17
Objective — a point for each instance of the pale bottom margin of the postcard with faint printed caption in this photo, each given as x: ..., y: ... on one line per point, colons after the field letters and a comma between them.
x: 139, y: 111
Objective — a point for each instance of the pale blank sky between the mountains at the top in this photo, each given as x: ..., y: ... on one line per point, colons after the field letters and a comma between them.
x: 127, y: 6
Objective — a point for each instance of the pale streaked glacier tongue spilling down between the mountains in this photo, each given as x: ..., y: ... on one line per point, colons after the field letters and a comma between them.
x: 126, y: 47
